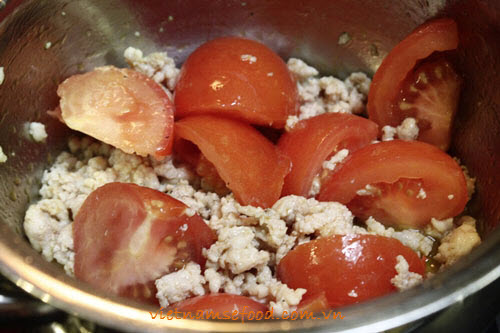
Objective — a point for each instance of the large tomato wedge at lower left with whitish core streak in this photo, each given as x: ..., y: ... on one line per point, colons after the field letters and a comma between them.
x: 126, y: 236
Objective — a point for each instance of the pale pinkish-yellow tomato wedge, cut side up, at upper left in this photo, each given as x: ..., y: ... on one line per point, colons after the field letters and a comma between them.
x: 121, y: 107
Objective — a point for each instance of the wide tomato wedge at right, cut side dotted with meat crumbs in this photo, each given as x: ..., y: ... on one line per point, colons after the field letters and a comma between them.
x: 411, y: 182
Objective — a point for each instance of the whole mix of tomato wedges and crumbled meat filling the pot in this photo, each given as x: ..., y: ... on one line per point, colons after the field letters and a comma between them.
x: 231, y: 212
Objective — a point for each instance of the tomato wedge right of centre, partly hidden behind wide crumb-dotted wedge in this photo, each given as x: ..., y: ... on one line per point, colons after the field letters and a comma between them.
x: 313, y: 140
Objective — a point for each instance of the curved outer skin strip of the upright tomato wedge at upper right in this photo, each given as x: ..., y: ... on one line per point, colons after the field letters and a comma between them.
x: 435, y: 35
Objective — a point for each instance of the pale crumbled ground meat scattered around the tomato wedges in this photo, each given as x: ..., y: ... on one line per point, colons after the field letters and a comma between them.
x: 250, y: 240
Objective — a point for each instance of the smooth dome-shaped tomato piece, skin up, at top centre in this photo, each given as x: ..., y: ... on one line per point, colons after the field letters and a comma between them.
x: 215, y: 79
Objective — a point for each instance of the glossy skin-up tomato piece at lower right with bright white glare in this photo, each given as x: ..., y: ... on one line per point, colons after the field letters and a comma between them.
x: 338, y: 265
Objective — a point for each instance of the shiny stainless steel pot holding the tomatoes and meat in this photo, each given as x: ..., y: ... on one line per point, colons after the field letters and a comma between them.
x: 87, y: 33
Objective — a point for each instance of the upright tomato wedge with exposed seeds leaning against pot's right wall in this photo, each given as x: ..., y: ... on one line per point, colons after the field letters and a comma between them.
x: 409, y: 83
